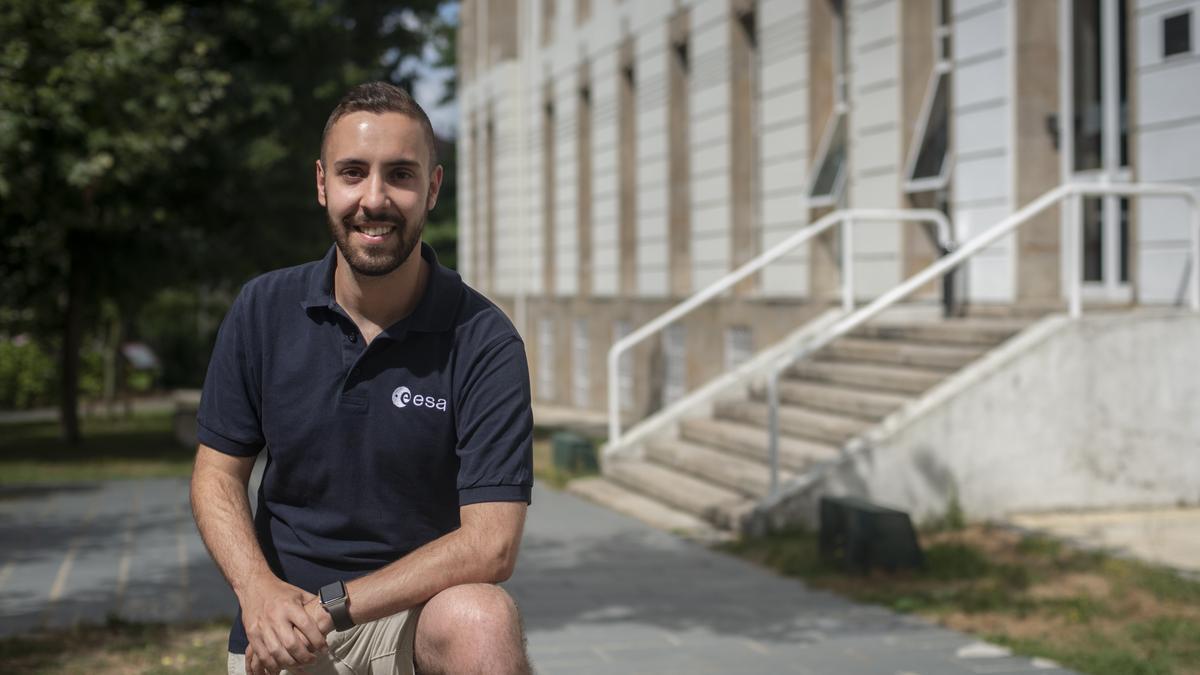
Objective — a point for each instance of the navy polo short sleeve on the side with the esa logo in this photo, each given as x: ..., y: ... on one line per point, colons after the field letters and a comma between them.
x: 495, y: 426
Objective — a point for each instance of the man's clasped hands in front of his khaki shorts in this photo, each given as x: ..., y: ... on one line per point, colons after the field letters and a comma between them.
x: 283, y: 634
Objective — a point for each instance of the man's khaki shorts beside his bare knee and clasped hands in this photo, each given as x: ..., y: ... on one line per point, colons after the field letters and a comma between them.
x: 379, y: 648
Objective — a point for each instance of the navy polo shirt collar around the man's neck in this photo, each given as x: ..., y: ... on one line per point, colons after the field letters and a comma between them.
x: 434, y: 314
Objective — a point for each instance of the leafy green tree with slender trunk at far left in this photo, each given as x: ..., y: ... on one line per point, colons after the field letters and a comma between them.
x: 98, y: 100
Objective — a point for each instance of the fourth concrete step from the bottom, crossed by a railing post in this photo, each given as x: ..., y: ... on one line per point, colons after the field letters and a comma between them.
x: 751, y: 441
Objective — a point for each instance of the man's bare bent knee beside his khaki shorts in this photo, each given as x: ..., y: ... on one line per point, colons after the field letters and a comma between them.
x: 469, y: 630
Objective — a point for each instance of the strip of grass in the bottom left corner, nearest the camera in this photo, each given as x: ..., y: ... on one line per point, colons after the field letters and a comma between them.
x: 121, y: 648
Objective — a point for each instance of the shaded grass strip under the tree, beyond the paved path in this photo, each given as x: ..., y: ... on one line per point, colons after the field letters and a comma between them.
x: 142, y: 446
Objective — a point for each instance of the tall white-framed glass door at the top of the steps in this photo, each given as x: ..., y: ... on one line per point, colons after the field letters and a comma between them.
x: 1096, y: 145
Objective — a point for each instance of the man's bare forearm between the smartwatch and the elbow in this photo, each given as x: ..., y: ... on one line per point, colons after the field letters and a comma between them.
x: 482, y: 552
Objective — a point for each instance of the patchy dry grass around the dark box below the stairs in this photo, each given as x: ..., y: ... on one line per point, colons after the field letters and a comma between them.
x: 1087, y: 611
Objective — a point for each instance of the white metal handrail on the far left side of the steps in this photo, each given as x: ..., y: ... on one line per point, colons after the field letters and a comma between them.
x: 845, y: 217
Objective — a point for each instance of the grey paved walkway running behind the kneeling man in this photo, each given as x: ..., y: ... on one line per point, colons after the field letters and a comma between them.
x: 601, y: 593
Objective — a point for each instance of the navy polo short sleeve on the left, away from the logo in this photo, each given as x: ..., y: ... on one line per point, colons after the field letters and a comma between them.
x: 231, y: 404
